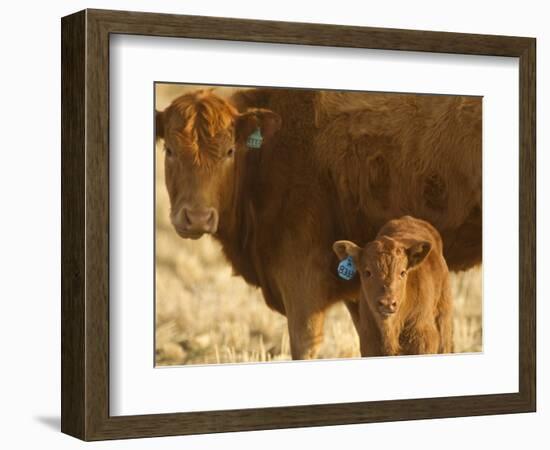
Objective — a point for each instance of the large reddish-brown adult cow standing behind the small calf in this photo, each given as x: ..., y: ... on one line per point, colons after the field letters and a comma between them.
x: 338, y: 165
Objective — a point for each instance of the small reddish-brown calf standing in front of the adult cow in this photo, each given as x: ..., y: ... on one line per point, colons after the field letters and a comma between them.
x: 405, y: 305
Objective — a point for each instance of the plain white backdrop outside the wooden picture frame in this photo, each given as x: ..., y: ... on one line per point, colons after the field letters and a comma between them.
x: 30, y: 237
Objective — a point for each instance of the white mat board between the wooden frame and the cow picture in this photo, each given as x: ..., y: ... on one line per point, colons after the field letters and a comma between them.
x: 139, y: 388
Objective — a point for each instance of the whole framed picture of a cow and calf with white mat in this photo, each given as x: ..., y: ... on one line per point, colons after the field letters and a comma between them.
x: 266, y: 224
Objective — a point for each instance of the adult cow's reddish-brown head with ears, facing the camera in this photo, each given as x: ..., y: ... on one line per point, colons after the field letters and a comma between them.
x: 204, y: 140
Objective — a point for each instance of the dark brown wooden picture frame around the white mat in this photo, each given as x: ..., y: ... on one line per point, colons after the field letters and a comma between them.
x: 85, y: 224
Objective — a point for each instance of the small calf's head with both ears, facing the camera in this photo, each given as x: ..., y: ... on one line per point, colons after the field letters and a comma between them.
x: 383, y: 266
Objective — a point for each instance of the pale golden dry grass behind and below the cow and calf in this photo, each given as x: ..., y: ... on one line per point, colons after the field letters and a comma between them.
x: 206, y: 315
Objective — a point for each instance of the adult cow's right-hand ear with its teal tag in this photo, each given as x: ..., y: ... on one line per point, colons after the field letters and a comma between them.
x: 256, y: 128
